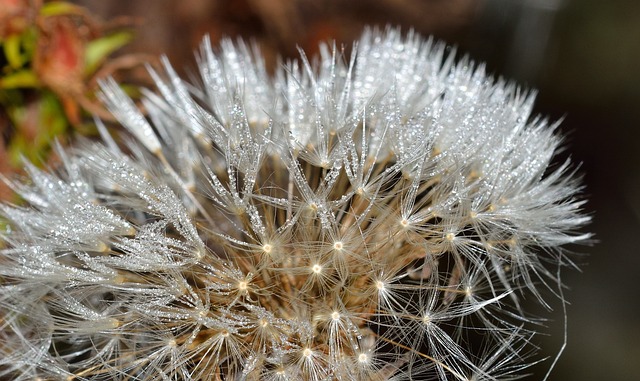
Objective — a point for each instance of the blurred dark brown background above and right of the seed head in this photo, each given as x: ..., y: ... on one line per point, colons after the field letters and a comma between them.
x: 582, y: 55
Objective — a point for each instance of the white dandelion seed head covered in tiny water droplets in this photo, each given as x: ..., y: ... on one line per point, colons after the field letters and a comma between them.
x: 372, y: 216
